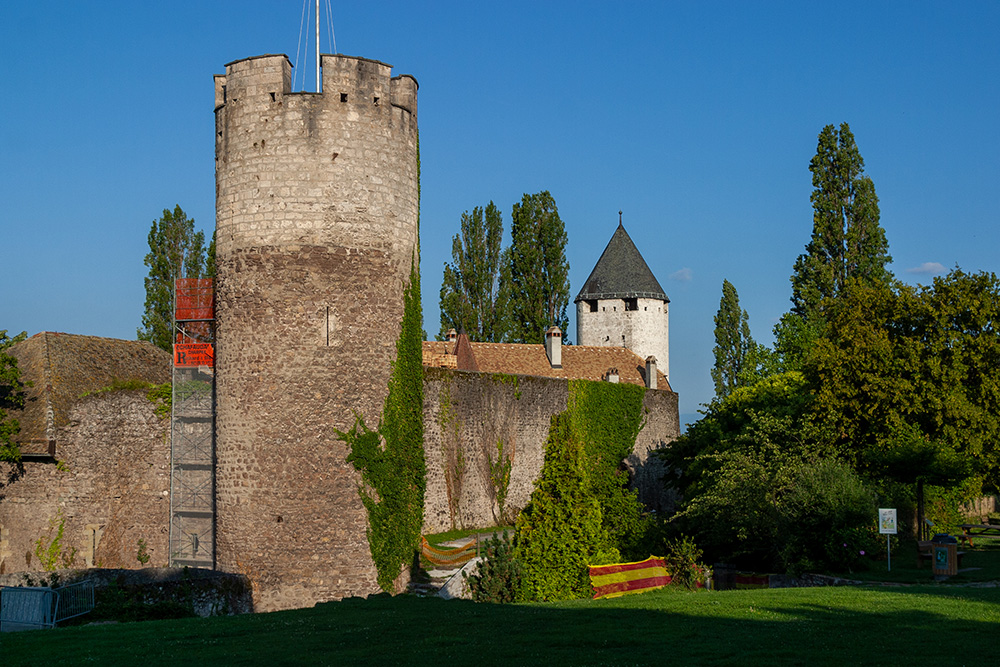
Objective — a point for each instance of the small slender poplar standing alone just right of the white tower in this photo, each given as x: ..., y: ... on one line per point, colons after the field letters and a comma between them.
x: 734, y: 346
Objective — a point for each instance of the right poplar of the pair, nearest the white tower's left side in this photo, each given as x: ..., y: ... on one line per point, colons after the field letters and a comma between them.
x: 537, y: 273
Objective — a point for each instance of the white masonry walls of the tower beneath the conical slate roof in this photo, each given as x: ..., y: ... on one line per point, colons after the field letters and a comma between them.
x: 645, y: 331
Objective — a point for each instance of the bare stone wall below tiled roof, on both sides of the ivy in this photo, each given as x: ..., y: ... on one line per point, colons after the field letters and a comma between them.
x: 467, y: 414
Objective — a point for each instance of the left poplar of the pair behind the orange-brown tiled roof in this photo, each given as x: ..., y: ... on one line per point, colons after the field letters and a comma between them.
x: 471, y: 298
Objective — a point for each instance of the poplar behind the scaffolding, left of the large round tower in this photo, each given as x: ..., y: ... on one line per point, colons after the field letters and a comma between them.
x: 176, y: 250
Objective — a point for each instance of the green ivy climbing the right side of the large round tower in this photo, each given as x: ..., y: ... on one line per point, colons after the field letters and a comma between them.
x: 391, y: 458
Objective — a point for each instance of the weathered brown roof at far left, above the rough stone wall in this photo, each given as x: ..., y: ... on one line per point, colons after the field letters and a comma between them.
x: 63, y: 367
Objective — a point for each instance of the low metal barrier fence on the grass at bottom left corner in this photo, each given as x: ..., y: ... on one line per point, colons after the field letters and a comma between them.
x: 31, y: 608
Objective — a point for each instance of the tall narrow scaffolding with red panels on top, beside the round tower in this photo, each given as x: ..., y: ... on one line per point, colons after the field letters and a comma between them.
x: 192, y: 426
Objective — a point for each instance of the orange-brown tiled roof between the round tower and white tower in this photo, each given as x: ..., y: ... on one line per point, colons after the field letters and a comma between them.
x: 579, y: 362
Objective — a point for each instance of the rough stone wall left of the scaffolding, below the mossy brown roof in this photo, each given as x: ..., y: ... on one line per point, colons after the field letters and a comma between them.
x: 112, y: 490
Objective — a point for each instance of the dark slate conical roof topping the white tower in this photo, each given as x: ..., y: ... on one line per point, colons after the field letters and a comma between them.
x: 621, y: 273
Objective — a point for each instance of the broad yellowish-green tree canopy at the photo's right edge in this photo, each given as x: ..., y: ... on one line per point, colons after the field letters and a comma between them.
x: 904, y: 379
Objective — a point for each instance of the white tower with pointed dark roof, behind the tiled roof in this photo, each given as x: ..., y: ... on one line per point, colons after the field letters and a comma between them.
x: 623, y: 305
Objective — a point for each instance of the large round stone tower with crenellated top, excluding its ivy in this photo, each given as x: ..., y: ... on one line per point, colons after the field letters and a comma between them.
x: 316, y: 224
